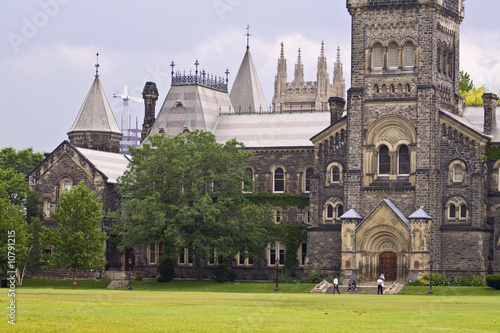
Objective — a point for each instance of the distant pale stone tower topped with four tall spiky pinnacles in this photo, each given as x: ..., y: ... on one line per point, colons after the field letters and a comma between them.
x: 300, y: 95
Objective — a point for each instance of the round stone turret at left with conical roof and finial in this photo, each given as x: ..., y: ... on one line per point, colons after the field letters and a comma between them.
x: 95, y: 127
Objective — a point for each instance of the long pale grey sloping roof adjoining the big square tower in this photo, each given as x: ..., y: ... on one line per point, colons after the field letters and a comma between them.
x: 272, y: 130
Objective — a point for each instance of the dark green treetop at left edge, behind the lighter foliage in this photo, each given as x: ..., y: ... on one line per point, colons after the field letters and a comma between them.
x: 22, y: 161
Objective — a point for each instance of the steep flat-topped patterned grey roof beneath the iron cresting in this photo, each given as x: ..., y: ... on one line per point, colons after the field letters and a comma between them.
x: 191, y: 106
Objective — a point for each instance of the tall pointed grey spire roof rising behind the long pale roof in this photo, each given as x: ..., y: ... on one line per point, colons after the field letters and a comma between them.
x: 246, y: 91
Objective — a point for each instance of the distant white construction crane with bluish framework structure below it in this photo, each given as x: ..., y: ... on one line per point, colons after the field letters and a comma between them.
x: 130, y: 135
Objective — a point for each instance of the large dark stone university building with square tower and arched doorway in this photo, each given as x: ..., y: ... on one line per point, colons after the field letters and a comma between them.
x: 397, y: 173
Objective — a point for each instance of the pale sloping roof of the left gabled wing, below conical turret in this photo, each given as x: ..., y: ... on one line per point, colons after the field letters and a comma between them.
x: 112, y: 165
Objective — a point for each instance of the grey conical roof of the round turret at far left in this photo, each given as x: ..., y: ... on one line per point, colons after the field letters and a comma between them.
x: 95, y: 114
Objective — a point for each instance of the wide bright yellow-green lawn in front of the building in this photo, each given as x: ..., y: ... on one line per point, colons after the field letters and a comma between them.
x: 245, y: 307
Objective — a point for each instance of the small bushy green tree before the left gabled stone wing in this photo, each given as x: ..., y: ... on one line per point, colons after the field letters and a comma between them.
x: 79, y: 239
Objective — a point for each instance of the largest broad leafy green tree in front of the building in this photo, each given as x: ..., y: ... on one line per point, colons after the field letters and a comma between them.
x: 186, y: 192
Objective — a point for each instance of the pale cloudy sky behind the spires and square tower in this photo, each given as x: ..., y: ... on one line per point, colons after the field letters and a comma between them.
x: 48, y: 48
